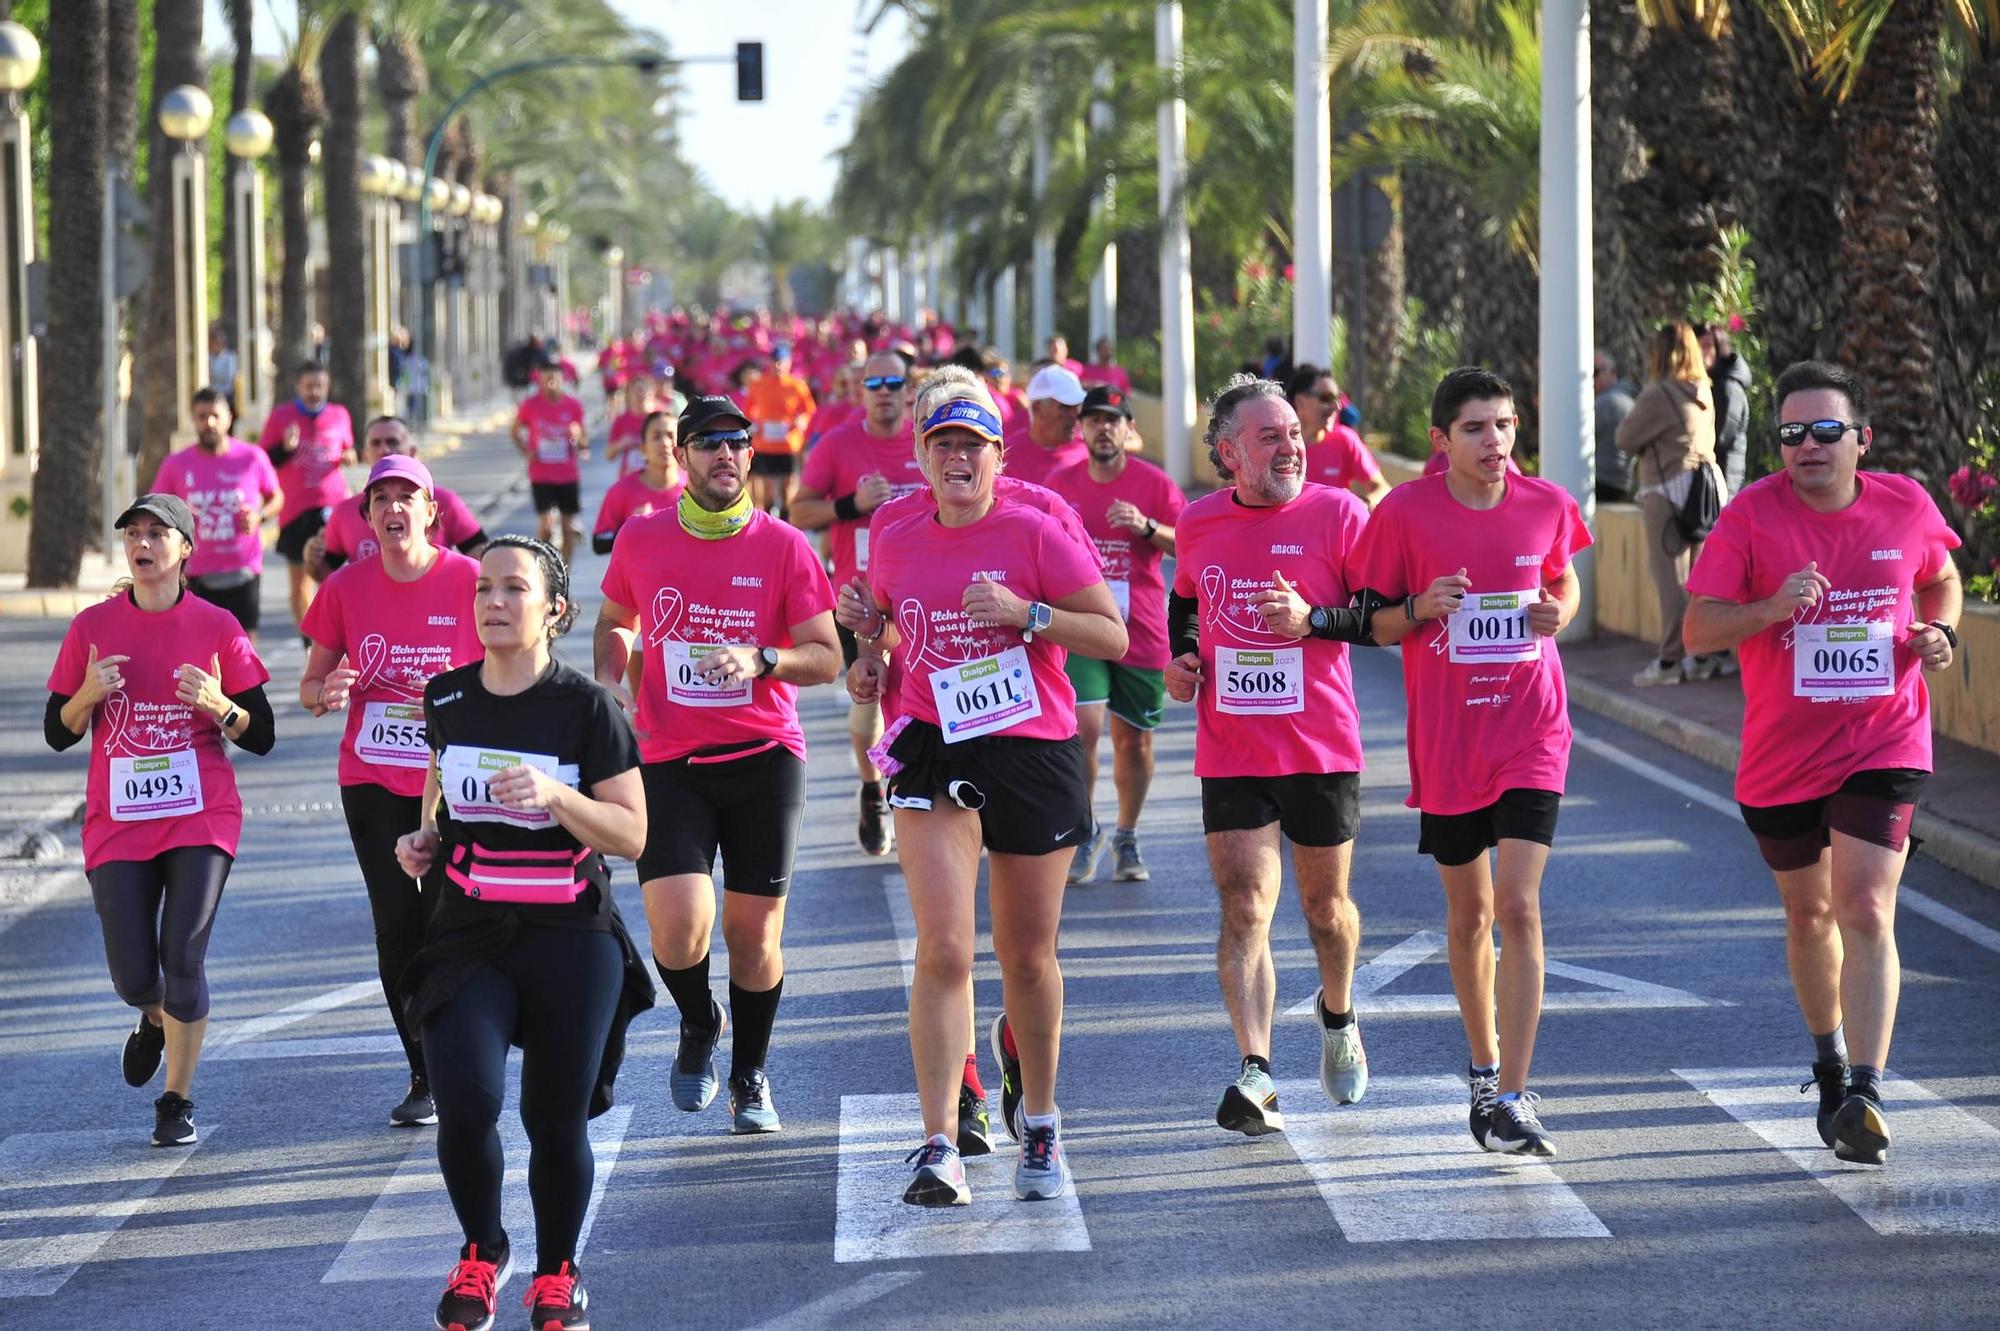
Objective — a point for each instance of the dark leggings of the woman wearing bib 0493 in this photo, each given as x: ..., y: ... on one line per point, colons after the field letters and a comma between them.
x: 157, y: 916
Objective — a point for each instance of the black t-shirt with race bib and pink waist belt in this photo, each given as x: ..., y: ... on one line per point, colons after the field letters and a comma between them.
x: 565, y: 724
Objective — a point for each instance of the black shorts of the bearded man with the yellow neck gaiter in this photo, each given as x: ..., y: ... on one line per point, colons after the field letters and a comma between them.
x: 745, y: 802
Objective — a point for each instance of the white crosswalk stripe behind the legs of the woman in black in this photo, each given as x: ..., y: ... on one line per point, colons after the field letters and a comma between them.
x: 411, y: 1230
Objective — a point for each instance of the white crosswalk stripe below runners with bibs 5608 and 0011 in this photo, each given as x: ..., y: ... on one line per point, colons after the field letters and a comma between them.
x: 1401, y: 1168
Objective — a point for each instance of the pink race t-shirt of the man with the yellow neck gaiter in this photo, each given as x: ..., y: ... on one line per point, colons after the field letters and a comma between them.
x: 693, y: 597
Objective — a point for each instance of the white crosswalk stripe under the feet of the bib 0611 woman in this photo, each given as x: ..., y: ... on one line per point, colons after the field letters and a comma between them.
x: 875, y: 1224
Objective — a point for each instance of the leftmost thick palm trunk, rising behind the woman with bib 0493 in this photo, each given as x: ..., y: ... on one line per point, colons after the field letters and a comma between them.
x: 65, y: 485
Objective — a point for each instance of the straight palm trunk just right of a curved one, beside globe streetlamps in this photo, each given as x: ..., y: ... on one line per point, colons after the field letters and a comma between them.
x: 347, y: 247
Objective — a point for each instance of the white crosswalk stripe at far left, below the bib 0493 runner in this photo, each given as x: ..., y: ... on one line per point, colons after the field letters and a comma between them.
x: 117, y: 1168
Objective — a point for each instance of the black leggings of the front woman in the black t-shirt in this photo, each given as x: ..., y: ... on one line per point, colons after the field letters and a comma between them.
x: 553, y: 992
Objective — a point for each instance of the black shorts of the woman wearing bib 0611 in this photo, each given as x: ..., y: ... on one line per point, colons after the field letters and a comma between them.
x: 1029, y: 792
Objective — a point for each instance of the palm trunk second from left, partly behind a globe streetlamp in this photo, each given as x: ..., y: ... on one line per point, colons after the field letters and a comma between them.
x: 177, y: 61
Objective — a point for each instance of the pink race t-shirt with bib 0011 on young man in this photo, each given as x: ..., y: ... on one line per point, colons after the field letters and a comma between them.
x: 1491, y: 720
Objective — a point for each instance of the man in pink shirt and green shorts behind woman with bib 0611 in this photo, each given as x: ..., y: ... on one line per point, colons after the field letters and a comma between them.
x: 1129, y: 509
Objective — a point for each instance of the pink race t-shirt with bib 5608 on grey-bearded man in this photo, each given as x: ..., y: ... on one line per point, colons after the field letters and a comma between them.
x: 1269, y: 704
